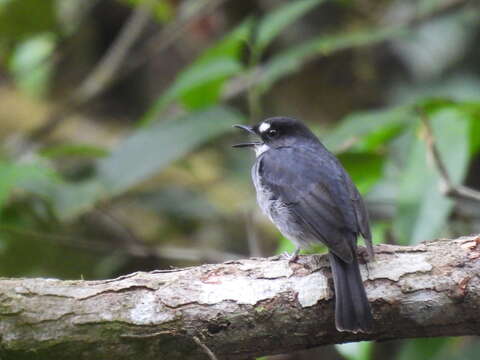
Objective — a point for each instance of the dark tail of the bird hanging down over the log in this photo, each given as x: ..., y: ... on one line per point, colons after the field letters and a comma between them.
x: 352, y: 310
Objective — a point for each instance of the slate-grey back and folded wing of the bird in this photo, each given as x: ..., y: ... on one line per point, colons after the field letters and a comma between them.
x: 318, y: 192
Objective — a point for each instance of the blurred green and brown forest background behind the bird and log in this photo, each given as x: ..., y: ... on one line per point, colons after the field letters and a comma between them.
x: 116, y: 125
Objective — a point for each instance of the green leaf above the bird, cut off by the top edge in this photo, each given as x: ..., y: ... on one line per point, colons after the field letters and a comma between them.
x: 276, y: 21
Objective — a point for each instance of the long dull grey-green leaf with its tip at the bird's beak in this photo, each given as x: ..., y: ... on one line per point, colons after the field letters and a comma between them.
x: 143, y: 154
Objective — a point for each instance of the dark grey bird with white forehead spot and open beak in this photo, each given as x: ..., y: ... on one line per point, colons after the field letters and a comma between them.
x: 307, y: 194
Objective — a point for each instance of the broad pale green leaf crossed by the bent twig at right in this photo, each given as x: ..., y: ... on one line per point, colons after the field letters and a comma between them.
x: 422, y: 209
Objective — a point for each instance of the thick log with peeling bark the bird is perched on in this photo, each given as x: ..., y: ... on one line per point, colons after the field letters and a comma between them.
x: 239, y: 309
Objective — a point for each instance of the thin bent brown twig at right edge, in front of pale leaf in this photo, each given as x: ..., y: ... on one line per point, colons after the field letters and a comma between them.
x: 448, y: 188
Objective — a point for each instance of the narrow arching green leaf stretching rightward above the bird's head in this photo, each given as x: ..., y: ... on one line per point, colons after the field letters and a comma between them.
x: 294, y: 58
